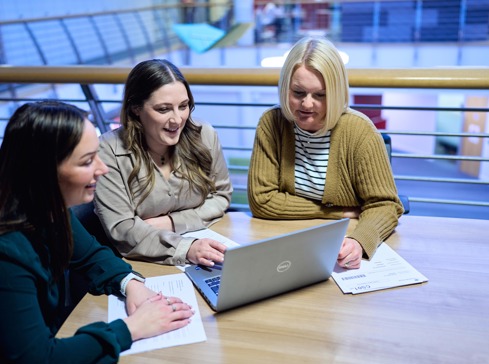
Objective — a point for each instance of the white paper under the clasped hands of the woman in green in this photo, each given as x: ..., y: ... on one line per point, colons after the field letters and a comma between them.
x: 177, y: 285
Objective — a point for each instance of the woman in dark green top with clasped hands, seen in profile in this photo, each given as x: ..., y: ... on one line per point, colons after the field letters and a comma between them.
x: 48, y: 163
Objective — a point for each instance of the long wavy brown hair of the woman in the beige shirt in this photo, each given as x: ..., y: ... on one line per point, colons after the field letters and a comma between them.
x: 190, y: 154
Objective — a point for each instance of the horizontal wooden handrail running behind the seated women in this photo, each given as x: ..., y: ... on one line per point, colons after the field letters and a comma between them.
x: 431, y: 78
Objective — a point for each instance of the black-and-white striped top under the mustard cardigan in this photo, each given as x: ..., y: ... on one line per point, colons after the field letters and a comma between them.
x: 311, y: 163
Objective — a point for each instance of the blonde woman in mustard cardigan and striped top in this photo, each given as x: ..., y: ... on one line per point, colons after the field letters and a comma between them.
x: 314, y: 157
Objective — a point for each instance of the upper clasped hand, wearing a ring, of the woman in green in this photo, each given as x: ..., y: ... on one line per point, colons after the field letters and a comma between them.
x: 158, y: 315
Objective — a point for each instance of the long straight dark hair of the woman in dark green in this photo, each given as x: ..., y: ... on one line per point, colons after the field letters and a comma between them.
x: 38, y: 137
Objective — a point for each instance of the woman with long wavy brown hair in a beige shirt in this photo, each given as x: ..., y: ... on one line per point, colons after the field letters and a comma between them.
x: 167, y: 174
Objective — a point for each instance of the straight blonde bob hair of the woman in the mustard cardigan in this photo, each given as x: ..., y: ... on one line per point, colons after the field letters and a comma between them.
x: 317, y: 54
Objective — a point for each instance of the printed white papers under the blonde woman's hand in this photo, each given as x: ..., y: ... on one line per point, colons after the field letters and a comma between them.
x: 386, y: 269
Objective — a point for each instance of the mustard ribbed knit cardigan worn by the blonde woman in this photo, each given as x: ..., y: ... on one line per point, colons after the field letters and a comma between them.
x: 359, y: 175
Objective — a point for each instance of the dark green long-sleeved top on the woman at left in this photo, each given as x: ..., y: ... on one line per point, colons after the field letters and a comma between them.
x: 32, y: 304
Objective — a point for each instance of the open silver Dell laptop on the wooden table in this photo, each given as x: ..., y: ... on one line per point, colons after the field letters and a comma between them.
x: 271, y: 266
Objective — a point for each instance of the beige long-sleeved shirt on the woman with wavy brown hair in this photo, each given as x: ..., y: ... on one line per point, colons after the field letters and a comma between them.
x: 123, y: 222
